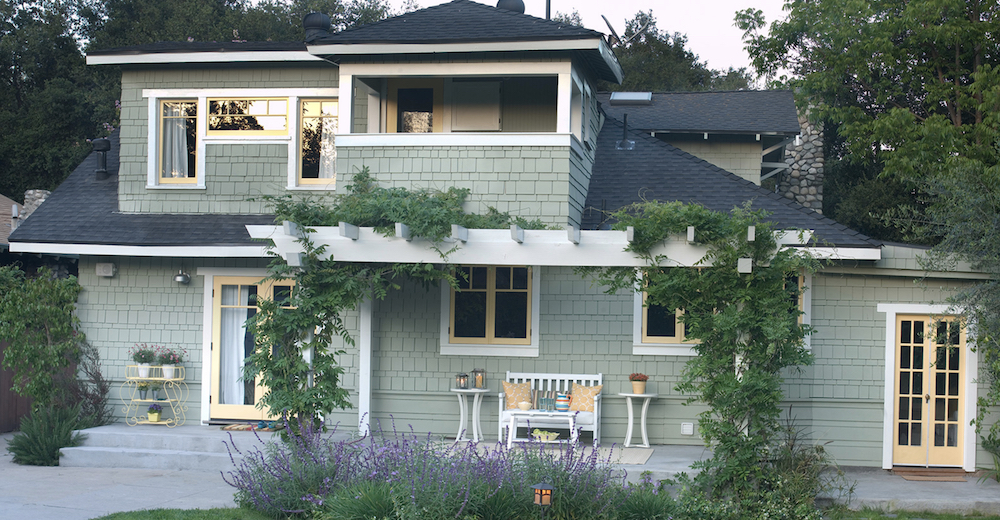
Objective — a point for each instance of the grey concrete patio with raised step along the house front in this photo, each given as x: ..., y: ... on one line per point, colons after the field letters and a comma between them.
x: 103, y: 477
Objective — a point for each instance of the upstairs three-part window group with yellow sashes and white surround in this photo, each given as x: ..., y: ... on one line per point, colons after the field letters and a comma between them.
x: 184, y: 125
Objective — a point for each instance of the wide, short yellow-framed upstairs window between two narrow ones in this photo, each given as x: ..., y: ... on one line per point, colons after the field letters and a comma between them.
x: 248, y: 116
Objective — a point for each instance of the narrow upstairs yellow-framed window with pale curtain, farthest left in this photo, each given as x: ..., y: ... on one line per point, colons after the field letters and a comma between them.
x: 177, y: 162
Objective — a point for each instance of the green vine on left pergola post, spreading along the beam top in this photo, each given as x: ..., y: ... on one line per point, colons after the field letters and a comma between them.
x: 306, y: 324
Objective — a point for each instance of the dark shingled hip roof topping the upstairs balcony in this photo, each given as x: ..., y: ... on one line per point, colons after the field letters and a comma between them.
x: 459, y: 21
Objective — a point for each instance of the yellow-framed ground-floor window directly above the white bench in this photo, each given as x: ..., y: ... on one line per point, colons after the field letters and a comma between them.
x: 492, y: 305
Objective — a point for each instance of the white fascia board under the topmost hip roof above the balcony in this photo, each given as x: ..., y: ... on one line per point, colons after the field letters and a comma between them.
x: 347, y: 49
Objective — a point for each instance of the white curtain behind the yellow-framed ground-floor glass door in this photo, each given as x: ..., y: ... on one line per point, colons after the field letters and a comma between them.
x: 233, y: 334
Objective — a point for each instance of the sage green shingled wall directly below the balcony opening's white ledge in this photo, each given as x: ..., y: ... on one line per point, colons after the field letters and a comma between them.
x: 527, y: 181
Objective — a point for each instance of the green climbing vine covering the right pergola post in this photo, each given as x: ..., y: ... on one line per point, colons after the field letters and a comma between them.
x: 745, y: 325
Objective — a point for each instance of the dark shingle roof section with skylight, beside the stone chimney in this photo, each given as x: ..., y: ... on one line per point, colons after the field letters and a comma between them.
x: 744, y: 111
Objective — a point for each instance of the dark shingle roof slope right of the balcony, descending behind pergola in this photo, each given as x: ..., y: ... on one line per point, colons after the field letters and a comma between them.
x: 655, y: 170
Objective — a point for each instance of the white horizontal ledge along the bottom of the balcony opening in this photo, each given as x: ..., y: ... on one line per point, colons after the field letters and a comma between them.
x: 455, y: 139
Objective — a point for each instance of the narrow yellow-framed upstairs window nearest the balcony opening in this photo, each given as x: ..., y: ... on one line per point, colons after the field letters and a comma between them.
x: 317, y: 150
